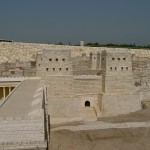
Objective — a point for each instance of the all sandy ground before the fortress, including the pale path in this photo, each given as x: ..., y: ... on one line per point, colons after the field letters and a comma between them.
x: 97, y: 138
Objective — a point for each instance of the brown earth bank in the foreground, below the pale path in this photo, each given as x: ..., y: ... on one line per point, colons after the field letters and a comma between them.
x: 114, y: 139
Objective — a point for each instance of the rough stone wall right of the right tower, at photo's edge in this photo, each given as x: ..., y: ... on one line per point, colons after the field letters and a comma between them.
x: 141, y: 72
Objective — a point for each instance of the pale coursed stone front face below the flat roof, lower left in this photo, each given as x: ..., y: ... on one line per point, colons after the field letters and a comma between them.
x: 21, y: 131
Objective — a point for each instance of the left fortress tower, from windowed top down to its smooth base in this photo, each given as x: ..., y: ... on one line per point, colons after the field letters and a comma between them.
x: 55, y: 69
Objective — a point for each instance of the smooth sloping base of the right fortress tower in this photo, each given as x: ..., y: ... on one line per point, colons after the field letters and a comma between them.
x: 113, y: 105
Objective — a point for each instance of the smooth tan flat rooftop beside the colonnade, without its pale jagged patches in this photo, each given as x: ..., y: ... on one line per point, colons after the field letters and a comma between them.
x: 19, y: 102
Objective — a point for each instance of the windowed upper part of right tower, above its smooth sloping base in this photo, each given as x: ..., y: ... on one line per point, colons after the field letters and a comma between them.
x: 119, y: 76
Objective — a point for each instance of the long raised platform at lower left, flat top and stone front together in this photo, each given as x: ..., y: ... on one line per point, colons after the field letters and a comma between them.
x: 22, y: 118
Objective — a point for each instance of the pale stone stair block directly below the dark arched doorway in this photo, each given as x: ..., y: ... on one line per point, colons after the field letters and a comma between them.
x: 89, y: 114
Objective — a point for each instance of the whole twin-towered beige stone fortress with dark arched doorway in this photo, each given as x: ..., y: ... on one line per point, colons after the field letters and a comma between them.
x: 79, y: 97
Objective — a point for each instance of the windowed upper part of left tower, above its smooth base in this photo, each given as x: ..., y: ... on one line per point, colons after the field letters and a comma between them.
x: 55, y: 69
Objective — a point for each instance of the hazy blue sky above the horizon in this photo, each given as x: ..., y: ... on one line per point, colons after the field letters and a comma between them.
x: 51, y: 21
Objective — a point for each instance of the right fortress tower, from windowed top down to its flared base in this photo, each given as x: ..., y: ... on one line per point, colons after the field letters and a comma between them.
x: 119, y: 91
